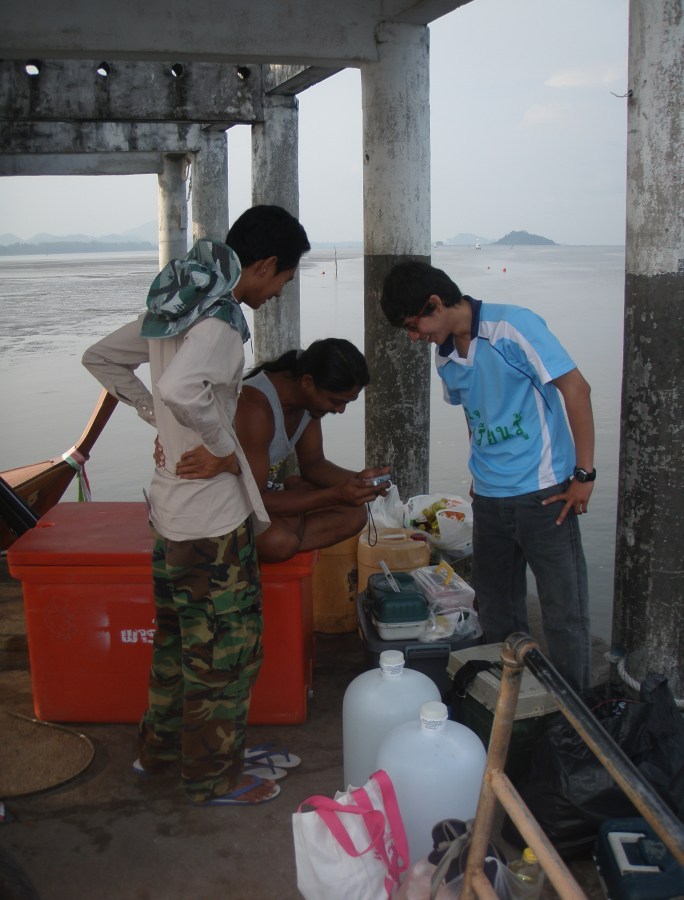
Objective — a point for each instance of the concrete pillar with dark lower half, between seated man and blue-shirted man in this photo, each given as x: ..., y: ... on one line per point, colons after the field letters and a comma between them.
x: 396, y: 212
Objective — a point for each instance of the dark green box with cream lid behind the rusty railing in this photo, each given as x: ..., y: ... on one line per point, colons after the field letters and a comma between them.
x: 535, y: 711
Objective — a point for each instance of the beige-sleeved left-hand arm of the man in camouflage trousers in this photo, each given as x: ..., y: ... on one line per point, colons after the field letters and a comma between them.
x: 113, y: 361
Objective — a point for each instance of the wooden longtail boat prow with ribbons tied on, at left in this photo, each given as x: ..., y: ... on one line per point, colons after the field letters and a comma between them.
x: 41, y: 485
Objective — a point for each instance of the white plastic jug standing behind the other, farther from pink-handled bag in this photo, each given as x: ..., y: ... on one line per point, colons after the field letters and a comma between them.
x: 374, y: 703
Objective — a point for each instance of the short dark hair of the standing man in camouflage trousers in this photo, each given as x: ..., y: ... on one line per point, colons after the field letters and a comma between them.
x: 264, y: 231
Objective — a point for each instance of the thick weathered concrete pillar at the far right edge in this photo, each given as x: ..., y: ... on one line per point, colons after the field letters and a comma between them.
x: 649, y: 570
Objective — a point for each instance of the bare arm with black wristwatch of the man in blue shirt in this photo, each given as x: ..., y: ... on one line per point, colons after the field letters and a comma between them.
x: 576, y: 396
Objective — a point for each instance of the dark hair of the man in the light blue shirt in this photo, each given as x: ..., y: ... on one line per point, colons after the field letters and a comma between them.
x: 408, y: 286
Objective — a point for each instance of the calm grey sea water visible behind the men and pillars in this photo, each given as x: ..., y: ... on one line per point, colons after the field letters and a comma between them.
x: 53, y: 307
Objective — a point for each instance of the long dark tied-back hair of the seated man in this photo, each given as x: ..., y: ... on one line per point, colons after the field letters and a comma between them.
x: 334, y: 364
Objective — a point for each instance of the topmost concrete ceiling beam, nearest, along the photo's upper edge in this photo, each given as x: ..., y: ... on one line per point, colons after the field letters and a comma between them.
x: 323, y: 33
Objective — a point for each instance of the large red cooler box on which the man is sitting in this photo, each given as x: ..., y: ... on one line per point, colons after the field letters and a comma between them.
x: 86, y: 573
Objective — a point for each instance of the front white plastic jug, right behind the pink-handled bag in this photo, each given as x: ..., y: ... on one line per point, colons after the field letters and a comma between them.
x: 436, y: 767
